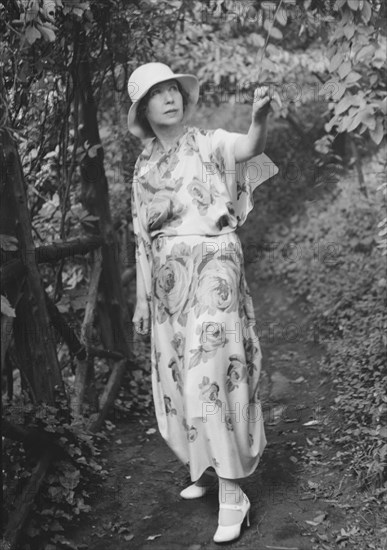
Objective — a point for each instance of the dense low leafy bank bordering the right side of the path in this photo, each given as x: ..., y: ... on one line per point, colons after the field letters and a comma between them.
x: 338, y: 267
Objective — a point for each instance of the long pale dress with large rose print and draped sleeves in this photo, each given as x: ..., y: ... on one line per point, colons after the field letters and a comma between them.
x: 205, y: 353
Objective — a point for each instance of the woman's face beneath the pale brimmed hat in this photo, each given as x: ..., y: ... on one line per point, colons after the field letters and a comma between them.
x: 165, y: 104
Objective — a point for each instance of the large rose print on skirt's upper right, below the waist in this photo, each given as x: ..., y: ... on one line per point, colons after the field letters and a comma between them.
x: 217, y: 287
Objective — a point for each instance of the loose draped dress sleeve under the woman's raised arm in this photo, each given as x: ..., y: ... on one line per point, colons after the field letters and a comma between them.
x: 240, y: 178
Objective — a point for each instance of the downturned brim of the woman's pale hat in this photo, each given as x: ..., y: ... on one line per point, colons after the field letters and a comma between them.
x: 190, y: 85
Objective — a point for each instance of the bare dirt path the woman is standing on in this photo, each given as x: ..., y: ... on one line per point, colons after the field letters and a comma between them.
x: 138, y: 506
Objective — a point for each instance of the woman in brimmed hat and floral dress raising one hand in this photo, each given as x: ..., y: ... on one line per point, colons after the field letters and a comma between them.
x: 191, y: 190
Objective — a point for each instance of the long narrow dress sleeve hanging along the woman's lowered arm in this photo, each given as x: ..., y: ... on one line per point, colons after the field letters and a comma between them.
x: 141, y: 235
